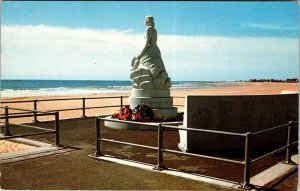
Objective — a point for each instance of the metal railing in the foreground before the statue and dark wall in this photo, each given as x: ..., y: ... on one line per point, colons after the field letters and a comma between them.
x: 247, y: 162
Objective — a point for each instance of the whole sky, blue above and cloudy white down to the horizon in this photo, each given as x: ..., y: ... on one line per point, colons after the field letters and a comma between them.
x: 198, y: 40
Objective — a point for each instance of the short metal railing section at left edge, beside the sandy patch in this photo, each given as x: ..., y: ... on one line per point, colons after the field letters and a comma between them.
x: 26, y: 113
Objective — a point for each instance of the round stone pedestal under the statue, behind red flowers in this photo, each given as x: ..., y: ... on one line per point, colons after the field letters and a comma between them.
x: 159, y: 100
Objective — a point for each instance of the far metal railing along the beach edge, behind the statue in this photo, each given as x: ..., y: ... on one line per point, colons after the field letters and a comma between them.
x: 83, y: 100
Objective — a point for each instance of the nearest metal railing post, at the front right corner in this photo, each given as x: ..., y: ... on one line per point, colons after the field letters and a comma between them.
x: 246, y: 184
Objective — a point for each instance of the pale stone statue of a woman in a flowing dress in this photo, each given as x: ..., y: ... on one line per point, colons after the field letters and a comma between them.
x: 147, y: 68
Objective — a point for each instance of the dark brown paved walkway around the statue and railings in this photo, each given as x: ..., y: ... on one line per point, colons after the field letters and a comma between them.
x: 75, y: 170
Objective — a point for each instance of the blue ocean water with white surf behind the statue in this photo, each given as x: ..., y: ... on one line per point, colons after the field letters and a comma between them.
x: 24, y: 88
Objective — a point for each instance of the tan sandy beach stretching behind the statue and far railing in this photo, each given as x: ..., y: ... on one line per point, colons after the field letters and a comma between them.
x: 241, y: 88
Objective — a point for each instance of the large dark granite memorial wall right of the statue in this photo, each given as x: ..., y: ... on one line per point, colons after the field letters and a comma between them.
x: 241, y: 114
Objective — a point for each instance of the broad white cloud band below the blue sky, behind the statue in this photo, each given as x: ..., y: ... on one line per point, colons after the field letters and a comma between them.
x: 45, y: 52
